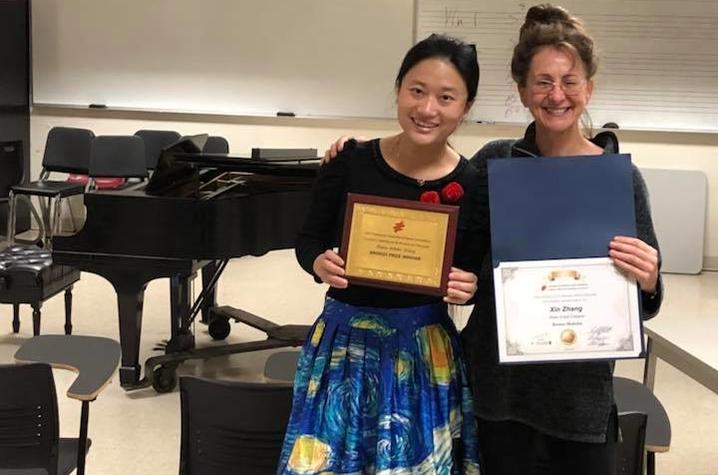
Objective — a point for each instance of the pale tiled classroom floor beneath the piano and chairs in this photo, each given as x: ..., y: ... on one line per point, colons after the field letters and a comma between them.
x: 138, y: 432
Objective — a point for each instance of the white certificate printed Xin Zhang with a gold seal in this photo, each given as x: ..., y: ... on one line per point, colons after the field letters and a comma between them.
x: 566, y: 309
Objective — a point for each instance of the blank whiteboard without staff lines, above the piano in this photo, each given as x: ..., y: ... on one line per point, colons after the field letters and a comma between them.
x: 254, y: 57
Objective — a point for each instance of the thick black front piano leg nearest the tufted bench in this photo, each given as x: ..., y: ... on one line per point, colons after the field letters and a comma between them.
x: 130, y: 299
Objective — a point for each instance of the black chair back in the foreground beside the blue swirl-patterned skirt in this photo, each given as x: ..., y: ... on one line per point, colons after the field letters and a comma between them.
x: 232, y: 427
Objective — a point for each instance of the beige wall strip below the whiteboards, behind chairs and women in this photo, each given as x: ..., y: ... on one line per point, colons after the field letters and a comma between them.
x: 685, y: 151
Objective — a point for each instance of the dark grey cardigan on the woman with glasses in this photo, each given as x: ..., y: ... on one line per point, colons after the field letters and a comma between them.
x: 571, y: 401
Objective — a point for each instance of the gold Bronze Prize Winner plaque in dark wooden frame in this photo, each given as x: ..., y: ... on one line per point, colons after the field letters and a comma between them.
x: 398, y: 244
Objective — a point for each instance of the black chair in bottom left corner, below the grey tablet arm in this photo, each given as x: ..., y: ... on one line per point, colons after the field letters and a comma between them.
x: 29, y: 427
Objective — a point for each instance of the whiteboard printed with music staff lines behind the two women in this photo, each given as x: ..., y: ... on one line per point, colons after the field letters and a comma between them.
x: 658, y: 65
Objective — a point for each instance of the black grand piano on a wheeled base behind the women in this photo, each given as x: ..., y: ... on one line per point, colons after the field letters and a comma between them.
x: 196, y: 212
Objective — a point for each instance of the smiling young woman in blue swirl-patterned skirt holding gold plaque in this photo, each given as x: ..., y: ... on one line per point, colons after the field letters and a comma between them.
x: 381, y: 386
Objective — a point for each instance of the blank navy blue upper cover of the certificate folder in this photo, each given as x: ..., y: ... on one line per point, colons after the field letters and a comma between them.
x: 560, y: 207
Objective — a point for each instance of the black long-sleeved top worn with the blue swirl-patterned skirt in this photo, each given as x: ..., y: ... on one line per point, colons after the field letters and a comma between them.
x: 361, y: 168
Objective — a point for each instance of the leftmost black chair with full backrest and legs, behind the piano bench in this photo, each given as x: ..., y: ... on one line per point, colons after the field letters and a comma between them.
x: 67, y: 150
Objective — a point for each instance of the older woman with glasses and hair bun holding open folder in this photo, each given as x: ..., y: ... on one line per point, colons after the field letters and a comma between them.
x: 555, y: 418
